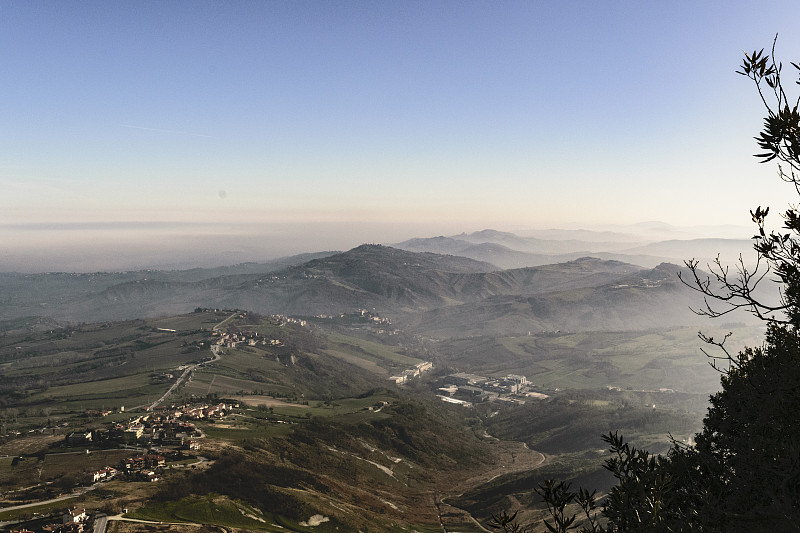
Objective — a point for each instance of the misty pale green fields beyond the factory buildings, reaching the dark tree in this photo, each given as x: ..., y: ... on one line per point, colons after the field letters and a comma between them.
x: 650, y: 360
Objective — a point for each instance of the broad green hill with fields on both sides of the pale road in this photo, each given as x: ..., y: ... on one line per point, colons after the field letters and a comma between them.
x: 109, y: 365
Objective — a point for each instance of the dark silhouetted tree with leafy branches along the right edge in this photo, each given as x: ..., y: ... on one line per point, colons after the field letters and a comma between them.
x: 743, y: 473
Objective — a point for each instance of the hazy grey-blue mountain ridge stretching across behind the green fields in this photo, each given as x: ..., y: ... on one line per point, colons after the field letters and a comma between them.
x: 435, y: 294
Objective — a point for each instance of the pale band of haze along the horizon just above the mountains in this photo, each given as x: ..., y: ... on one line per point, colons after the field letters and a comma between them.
x: 172, y: 246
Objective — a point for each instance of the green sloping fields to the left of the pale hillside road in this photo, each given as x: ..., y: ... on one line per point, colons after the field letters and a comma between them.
x: 101, y: 365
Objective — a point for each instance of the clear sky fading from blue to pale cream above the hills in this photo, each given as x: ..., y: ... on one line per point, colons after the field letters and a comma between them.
x: 249, y: 130
